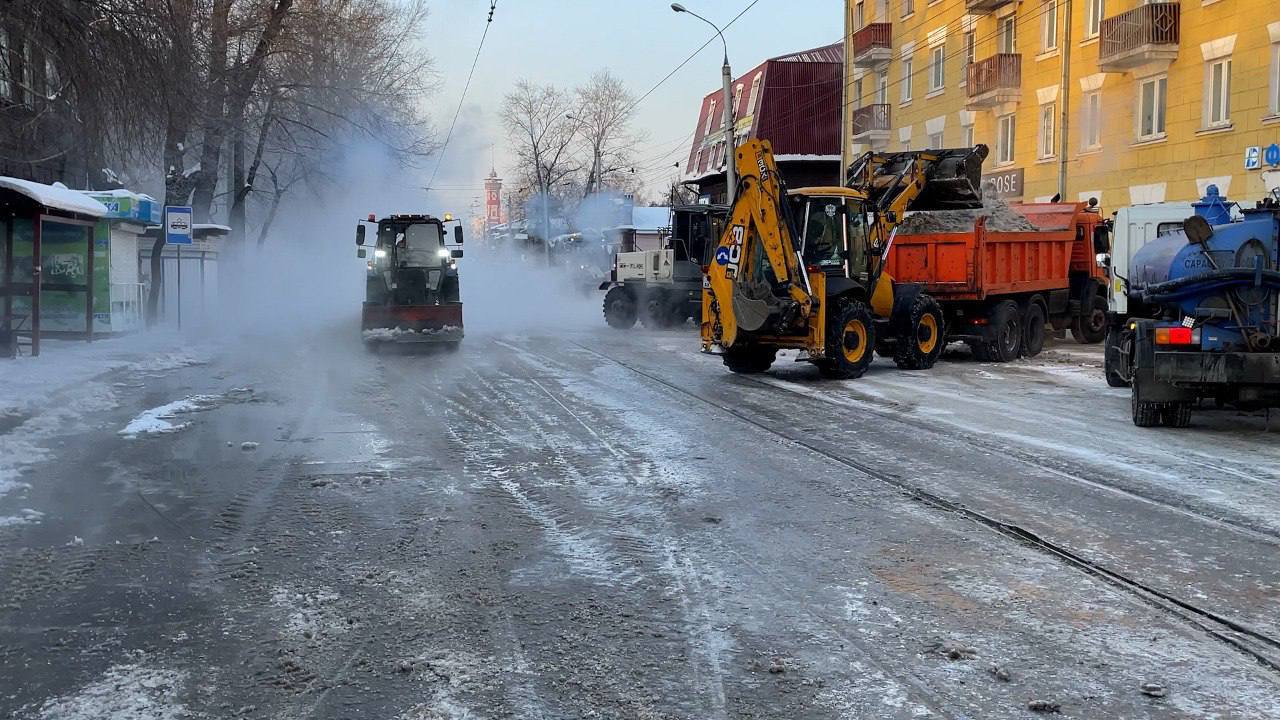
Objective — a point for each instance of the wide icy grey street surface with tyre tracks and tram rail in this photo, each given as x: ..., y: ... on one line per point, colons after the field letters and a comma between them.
x: 609, y: 525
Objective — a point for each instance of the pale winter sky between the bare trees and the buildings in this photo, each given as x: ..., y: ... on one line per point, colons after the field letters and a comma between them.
x: 565, y: 42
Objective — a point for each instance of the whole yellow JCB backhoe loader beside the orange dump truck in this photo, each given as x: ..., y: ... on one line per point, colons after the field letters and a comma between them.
x: 804, y: 270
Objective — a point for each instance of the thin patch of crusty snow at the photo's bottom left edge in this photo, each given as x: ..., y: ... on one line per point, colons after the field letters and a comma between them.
x: 125, y: 692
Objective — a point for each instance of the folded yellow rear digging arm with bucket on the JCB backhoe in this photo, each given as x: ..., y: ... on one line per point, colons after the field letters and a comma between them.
x: 757, y: 275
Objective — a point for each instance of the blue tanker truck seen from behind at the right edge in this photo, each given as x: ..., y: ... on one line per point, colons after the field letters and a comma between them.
x: 1204, y: 304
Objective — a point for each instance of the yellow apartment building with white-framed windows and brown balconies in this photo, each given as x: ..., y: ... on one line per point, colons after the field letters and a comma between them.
x: 1124, y: 101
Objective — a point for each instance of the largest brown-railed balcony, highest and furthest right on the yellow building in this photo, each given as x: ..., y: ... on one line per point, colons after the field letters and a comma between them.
x: 1146, y: 35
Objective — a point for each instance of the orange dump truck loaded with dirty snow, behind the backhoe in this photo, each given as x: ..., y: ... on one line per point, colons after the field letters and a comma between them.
x: 1004, y: 275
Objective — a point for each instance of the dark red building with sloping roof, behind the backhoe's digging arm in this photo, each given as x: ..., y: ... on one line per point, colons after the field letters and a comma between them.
x: 790, y: 101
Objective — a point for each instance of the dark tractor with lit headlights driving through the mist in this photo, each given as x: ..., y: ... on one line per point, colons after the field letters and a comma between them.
x: 412, y: 285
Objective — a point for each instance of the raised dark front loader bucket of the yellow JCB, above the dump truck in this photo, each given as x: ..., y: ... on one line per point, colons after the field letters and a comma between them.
x: 954, y: 177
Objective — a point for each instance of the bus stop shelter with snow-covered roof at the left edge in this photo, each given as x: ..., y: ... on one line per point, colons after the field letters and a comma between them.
x: 35, y: 218
